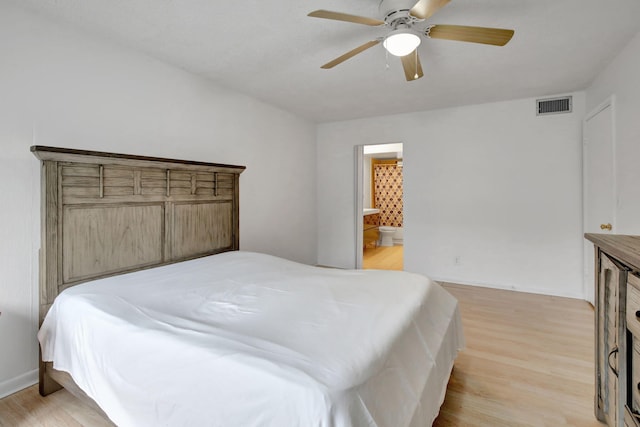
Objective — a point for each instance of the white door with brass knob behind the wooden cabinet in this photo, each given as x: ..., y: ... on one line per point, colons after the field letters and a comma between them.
x: 599, y: 197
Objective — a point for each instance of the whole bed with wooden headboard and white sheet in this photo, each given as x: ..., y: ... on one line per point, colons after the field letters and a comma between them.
x: 152, y: 314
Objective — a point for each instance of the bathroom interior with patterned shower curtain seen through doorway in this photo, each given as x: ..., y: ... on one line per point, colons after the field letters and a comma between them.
x: 382, y: 207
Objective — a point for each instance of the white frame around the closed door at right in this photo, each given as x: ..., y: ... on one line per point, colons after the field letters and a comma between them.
x: 609, y: 102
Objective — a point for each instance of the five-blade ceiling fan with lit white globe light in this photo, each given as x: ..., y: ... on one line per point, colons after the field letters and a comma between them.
x: 407, y: 27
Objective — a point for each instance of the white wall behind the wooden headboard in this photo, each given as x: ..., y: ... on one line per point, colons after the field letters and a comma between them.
x: 62, y: 88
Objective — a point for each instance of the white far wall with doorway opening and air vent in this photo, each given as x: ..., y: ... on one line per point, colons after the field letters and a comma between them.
x: 493, y: 184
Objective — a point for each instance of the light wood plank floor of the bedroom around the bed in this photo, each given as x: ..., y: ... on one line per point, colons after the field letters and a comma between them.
x: 528, y: 362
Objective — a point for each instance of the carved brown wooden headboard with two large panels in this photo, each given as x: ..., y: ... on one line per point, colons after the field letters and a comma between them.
x: 105, y: 214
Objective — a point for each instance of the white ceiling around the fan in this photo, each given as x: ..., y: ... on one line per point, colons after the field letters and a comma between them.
x: 272, y: 51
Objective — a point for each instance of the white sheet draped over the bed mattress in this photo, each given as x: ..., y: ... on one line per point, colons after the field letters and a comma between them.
x: 246, y: 339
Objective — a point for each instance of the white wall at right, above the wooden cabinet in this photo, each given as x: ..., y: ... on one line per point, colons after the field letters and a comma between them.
x: 621, y: 78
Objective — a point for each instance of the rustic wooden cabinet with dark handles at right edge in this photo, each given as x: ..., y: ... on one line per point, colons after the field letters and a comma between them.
x: 617, y: 329
